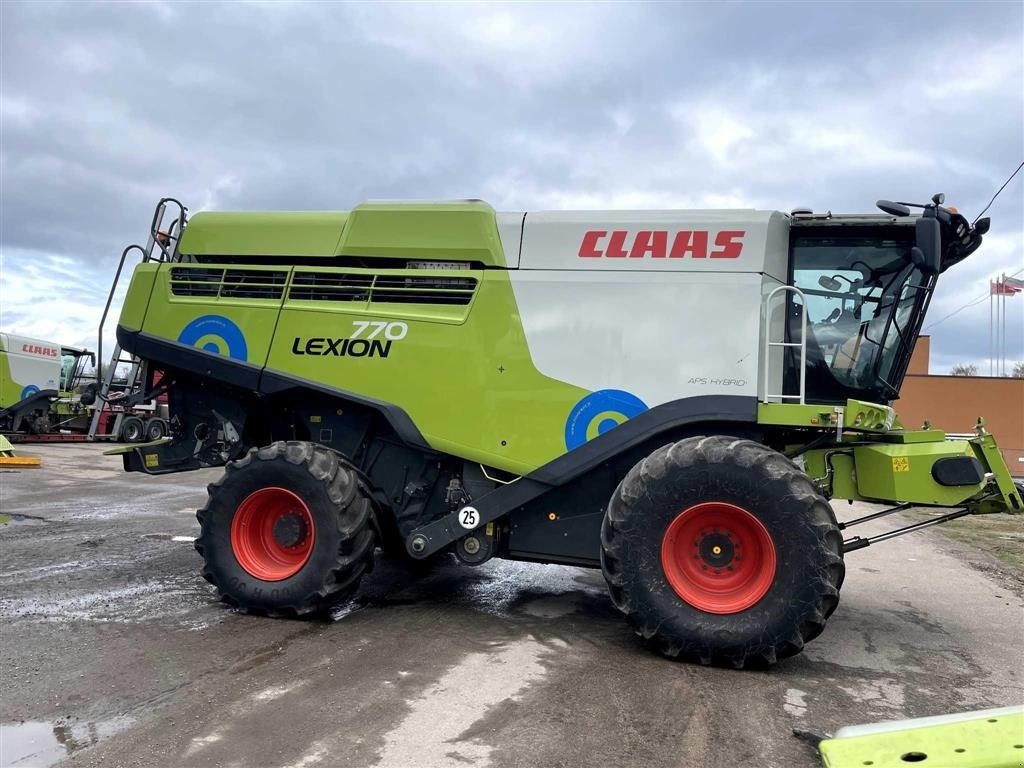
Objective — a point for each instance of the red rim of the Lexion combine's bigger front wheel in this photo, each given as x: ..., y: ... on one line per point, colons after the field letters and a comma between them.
x: 718, y: 558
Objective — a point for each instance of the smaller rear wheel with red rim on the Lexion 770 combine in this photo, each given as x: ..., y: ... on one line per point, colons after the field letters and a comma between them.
x: 288, y: 531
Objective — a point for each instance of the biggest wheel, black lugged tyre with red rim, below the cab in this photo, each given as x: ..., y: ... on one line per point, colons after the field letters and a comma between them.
x: 721, y: 550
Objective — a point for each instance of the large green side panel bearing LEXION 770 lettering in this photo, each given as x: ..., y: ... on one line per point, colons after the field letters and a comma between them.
x: 517, y: 426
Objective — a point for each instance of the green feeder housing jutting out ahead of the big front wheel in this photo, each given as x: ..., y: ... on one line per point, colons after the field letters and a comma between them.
x: 895, y: 473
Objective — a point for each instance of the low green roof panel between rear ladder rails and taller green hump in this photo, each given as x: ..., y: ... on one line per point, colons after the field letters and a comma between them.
x: 264, y: 234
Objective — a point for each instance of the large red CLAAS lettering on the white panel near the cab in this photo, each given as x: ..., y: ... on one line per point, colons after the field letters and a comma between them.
x: 621, y: 244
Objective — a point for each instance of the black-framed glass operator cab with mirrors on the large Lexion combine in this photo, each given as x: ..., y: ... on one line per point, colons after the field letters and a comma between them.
x: 867, y: 283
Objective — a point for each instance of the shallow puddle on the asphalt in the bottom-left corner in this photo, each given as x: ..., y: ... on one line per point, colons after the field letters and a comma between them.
x: 39, y: 744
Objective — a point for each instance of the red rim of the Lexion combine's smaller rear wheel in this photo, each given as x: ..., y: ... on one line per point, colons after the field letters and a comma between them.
x: 273, y: 534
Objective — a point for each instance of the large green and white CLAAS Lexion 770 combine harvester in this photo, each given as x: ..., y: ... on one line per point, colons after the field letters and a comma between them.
x: 673, y: 397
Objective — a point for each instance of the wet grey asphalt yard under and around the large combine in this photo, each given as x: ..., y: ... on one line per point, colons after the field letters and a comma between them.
x: 116, y: 653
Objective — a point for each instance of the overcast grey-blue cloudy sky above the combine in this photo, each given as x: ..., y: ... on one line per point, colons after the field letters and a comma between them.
x: 108, y: 107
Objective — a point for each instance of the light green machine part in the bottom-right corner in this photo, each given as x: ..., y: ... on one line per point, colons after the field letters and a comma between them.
x: 987, y: 742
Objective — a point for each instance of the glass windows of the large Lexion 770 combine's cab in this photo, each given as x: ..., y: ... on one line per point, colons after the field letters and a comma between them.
x: 865, y: 302
